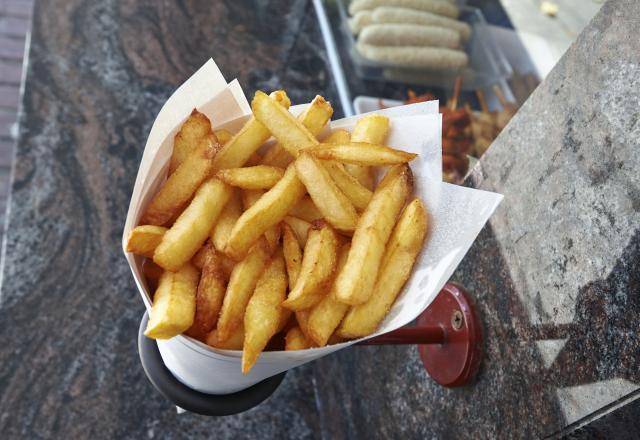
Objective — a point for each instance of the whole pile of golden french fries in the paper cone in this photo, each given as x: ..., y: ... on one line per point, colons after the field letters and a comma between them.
x: 237, y: 243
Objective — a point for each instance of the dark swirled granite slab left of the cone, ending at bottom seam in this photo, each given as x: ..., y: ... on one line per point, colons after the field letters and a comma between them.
x: 98, y: 73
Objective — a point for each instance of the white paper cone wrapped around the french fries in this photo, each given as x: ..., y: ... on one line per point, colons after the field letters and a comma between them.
x: 456, y: 216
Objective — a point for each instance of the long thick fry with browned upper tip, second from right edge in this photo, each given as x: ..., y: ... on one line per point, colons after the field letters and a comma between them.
x: 354, y: 283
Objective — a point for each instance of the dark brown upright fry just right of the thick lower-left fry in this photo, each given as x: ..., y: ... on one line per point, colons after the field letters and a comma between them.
x: 211, y: 289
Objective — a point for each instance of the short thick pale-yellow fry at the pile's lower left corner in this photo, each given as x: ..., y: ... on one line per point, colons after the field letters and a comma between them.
x: 174, y: 303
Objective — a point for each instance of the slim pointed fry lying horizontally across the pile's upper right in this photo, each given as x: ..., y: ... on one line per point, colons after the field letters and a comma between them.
x: 360, y: 153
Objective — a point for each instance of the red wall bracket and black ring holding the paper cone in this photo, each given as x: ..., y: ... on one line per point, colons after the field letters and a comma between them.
x: 447, y: 333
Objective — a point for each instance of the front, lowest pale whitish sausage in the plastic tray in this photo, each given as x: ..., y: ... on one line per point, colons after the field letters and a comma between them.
x: 409, y: 56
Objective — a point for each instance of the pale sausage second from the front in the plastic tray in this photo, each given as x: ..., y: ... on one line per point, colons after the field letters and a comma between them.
x: 409, y: 35
